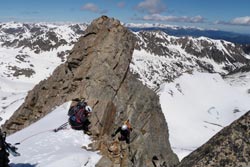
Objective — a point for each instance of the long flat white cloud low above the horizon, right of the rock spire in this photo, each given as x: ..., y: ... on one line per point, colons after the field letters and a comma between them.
x: 158, y: 17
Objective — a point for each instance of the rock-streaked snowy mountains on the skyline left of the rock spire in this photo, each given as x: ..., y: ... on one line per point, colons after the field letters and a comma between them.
x: 39, y: 36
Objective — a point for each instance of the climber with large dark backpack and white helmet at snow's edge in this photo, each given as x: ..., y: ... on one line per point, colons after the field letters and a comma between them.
x: 79, y: 116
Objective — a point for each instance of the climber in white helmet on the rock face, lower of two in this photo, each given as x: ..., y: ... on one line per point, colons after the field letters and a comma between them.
x: 124, y: 130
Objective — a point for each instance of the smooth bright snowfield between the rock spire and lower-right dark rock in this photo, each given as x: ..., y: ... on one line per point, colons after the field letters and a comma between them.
x: 198, y: 105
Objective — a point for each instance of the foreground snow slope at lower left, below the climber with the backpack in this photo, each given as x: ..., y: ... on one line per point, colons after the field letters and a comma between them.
x: 41, y: 147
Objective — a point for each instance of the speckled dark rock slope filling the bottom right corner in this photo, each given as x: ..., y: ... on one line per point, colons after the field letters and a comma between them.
x: 229, y: 148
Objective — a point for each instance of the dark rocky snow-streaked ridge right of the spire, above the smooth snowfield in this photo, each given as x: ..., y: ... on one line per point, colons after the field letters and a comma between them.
x: 176, y: 55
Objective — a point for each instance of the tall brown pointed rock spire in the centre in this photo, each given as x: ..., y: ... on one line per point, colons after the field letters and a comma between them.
x: 98, y: 69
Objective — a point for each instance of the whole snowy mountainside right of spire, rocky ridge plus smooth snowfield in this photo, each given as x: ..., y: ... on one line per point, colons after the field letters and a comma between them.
x: 197, y: 104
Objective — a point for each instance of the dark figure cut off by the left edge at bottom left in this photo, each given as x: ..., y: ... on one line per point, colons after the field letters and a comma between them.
x: 4, y: 156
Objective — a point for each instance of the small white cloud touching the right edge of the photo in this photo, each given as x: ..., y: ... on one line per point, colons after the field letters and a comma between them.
x: 245, y: 21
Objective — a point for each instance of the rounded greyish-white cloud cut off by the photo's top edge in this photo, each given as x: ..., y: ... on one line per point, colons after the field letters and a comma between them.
x: 151, y: 6
